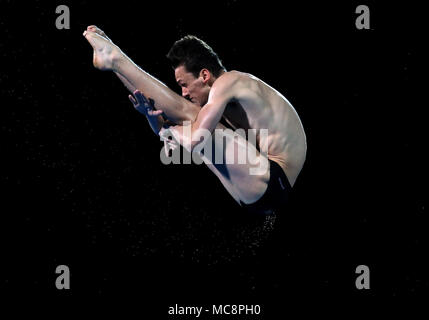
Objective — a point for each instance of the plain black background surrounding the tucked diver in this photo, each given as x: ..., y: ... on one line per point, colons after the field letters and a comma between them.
x: 83, y: 185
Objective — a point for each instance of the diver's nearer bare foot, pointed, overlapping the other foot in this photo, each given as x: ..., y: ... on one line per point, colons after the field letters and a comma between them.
x: 106, y: 54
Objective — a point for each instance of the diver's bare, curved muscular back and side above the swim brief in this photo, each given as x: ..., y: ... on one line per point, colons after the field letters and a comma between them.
x: 259, y: 106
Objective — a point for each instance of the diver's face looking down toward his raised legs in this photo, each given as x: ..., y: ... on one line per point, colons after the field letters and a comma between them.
x: 194, y: 89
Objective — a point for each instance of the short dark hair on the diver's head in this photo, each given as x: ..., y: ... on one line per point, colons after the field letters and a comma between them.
x: 195, y: 55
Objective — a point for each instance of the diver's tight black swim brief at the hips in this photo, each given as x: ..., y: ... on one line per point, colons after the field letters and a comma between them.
x: 277, y: 194
